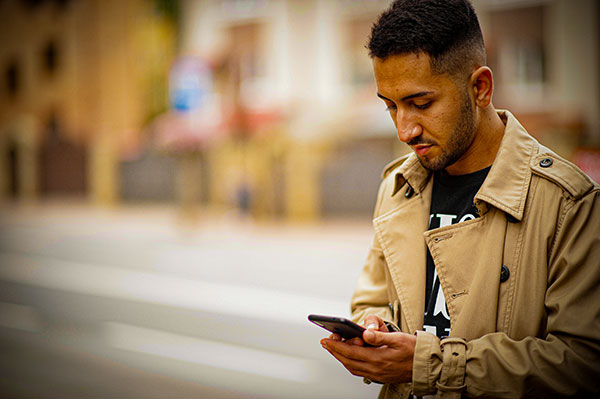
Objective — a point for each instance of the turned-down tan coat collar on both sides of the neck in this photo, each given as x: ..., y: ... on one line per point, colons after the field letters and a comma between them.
x: 507, y: 183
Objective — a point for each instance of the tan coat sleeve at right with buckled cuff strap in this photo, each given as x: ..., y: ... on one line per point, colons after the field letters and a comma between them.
x: 565, y: 362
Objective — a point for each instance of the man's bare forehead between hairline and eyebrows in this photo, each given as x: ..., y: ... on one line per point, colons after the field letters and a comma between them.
x: 405, y: 74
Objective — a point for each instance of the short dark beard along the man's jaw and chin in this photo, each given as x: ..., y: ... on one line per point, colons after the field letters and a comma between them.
x: 458, y: 142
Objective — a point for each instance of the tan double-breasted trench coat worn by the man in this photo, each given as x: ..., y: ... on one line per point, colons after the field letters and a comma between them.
x: 535, y: 331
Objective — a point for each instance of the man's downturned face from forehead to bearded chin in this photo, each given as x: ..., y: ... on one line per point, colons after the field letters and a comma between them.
x: 431, y: 112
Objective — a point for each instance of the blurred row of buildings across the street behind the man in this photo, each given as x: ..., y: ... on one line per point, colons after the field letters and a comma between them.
x: 274, y: 113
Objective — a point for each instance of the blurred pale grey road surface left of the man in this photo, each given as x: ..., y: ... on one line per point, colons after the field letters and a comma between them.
x: 134, y: 303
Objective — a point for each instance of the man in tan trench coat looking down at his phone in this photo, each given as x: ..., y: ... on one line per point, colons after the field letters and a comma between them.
x: 483, y: 278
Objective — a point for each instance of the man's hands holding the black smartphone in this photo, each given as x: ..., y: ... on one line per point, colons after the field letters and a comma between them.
x: 389, y: 360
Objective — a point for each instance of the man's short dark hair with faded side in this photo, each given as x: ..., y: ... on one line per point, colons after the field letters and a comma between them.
x: 447, y: 30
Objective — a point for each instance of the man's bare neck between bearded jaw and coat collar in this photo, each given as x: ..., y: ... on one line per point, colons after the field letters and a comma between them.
x: 482, y: 152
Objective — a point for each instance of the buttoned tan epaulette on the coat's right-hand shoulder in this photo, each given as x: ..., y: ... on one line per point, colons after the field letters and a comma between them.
x: 563, y: 173
